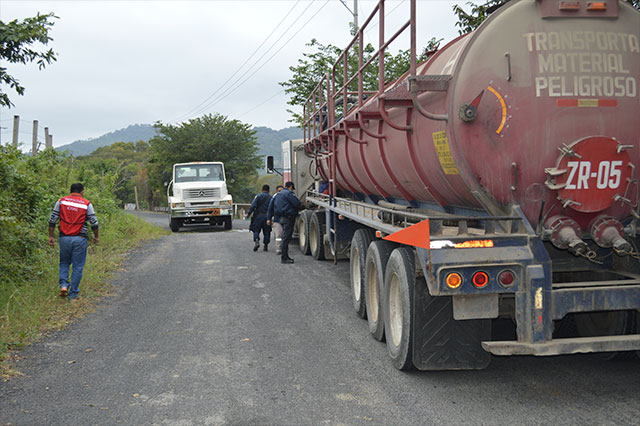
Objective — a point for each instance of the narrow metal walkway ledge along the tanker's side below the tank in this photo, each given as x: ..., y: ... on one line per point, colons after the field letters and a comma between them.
x: 445, y: 225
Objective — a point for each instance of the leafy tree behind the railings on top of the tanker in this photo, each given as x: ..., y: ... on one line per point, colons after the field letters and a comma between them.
x: 314, y: 65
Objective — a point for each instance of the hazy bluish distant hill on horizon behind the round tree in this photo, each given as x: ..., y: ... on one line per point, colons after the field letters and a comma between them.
x: 268, y: 139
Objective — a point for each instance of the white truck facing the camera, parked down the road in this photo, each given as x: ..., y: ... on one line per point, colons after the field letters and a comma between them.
x: 198, y: 194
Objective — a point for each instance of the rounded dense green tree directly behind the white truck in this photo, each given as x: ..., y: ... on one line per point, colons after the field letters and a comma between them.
x: 208, y: 138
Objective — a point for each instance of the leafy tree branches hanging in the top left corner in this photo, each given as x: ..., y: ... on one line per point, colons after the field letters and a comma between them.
x: 16, y: 40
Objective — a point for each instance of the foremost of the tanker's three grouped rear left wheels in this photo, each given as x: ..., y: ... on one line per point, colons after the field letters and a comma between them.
x: 358, y: 255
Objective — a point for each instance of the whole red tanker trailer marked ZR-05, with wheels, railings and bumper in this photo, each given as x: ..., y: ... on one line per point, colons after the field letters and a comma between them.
x: 495, y: 180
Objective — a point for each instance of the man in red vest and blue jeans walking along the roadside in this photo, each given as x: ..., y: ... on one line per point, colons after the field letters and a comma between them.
x: 74, y: 211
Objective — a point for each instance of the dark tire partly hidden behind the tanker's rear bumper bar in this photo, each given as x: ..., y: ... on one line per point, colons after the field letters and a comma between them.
x: 606, y: 324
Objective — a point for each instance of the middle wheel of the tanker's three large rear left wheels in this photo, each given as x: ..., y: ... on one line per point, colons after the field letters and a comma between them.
x: 375, y: 265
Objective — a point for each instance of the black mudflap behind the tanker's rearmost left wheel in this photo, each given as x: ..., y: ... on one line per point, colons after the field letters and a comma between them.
x: 442, y: 343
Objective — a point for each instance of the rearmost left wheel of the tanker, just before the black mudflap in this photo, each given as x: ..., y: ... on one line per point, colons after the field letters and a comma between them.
x: 398, y: 306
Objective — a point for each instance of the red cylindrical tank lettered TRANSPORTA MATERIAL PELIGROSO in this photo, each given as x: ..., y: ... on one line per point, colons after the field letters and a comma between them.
x: 556, y: 125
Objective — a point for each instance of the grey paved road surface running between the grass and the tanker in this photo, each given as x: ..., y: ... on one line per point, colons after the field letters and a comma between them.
x: 203, y: 331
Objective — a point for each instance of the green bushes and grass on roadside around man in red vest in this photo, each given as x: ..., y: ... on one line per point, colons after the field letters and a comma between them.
x: 28, y: 266
